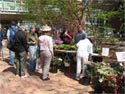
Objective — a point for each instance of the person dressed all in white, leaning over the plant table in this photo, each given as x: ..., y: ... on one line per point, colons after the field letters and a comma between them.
x: 85, y: 47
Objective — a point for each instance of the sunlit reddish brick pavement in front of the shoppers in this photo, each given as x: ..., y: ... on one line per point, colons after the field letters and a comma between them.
x: 59, y: 83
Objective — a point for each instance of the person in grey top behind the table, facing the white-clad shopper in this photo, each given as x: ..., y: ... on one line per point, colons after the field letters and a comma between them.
x: 81, y: 34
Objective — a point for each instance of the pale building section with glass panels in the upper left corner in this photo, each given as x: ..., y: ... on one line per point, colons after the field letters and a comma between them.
x: 11, y: 10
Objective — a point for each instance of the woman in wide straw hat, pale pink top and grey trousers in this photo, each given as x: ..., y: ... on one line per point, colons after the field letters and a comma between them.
x: 46, y: 51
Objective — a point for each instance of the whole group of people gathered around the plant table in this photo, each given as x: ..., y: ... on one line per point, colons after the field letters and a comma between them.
x: 41, y: 42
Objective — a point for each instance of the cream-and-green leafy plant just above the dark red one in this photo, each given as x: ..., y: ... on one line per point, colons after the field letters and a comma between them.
x: 101, y: 71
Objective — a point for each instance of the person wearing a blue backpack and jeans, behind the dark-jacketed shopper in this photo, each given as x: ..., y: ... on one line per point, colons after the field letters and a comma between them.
x: 10, y: 37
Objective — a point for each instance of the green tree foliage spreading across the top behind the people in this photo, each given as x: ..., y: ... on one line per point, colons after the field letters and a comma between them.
x: 72, y: 11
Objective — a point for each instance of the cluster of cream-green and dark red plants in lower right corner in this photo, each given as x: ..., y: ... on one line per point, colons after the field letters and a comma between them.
x: 106, y: 78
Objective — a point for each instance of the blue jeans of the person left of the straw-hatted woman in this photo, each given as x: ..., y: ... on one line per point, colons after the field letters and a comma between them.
x: 32, y: 51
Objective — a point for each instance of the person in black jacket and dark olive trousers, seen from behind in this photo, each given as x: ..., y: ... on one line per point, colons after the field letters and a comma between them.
x: 21, y: 51
